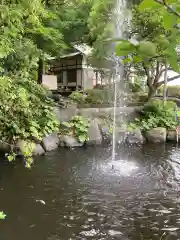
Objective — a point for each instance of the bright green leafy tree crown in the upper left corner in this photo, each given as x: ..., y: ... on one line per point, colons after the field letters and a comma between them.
x: 29, y: 31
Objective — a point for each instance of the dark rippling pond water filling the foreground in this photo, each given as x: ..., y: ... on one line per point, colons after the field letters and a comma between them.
x: 88, y: 196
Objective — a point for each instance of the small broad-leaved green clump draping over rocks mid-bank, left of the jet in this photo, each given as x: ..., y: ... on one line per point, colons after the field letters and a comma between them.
x: 77, y: 126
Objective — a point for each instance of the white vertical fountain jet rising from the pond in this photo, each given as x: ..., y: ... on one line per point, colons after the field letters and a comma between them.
x: 118, y: 78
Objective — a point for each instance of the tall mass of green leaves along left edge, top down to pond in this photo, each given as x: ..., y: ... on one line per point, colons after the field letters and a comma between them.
x: 23, y: 24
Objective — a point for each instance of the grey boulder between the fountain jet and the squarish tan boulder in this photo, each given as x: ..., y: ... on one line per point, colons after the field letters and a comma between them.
x: 134, y: 137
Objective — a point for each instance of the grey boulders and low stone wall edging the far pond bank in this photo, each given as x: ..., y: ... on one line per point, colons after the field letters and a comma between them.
x: 98, y: 131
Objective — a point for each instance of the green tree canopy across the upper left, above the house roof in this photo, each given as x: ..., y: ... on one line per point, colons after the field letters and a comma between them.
x: 32, y: 29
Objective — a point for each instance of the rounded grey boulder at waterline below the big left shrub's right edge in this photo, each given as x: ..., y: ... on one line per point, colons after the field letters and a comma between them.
x: 50, y: 142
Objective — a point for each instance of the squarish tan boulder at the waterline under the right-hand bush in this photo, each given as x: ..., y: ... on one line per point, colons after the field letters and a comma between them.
x: 156, y: 135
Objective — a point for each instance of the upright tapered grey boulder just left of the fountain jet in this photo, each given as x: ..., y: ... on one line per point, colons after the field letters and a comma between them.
x: 94, y: 133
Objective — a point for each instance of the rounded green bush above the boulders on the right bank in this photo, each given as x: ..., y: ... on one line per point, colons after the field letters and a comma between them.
x: 156, y: 114
